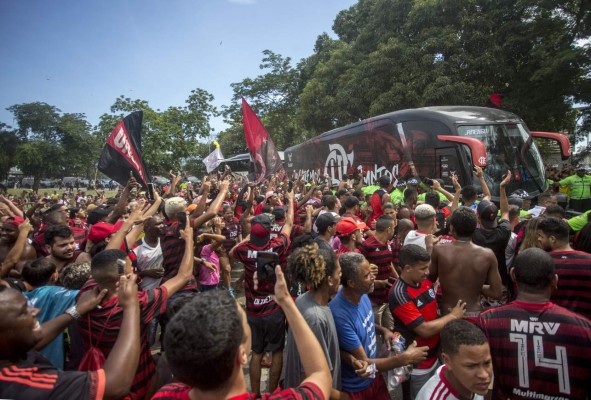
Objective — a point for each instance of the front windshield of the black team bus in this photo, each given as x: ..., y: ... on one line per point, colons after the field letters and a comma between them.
x: 509, y: 147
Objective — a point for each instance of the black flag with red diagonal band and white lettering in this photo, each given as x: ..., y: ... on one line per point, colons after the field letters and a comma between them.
x: 122, y: 153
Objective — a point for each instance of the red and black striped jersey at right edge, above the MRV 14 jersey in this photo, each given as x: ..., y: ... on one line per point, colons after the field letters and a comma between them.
x: 574, y: 281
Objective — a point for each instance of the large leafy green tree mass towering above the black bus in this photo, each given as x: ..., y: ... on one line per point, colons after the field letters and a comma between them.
x: 396, y: 54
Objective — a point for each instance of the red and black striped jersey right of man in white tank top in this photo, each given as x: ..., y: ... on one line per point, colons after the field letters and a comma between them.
x: 173, y: 250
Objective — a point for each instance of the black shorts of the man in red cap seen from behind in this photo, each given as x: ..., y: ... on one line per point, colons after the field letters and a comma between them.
x: 268, y: 333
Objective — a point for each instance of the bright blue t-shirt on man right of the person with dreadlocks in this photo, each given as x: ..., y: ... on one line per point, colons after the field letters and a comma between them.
x: 355, y: 327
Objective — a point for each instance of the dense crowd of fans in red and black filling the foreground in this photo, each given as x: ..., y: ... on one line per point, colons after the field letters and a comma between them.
x: 132, y: 296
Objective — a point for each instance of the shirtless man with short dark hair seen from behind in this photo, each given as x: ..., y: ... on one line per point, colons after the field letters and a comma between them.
x: 465, y: 270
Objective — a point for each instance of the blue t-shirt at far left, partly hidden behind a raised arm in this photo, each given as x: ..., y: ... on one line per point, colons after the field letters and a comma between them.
x: 52, y: 301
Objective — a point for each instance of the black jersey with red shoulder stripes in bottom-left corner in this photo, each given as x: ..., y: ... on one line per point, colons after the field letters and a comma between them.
x: 35, y: 378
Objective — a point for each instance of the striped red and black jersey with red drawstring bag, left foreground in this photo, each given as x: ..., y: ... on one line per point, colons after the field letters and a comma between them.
x: 109, y: 317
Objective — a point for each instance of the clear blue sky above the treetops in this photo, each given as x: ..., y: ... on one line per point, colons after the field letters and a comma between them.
x: 81, y: 55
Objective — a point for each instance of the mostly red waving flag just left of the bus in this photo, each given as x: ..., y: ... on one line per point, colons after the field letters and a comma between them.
x: 260, y: 145
